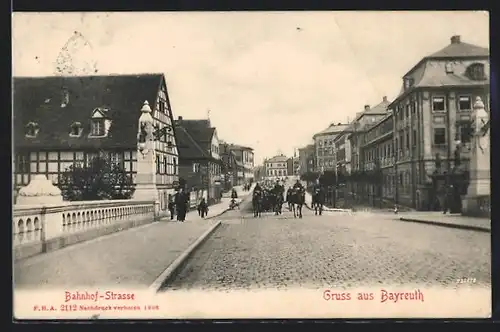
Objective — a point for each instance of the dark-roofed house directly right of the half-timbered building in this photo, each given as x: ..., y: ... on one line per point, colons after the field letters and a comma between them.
x: 200, y: 157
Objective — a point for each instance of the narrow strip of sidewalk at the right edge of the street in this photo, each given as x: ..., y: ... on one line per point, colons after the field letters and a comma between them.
x: 448, y: 220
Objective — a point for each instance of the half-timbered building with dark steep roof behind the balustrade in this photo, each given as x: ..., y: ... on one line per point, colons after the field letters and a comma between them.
x: 62, y: 121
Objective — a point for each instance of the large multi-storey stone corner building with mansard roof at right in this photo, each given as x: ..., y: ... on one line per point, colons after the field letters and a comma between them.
x: 432, y: 120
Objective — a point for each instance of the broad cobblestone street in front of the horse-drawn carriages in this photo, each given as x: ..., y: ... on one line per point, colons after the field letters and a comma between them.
x: 334, y: 250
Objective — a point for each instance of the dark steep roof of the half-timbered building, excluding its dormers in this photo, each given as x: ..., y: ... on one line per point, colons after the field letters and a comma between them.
x: 38, y: 99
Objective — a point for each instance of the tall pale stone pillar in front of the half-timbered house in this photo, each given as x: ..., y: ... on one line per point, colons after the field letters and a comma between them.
x: 145, y: 185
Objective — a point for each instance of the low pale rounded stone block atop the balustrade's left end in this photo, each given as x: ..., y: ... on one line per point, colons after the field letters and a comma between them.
x: 40, y: 191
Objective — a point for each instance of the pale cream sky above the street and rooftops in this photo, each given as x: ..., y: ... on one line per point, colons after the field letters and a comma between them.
x: 271, y: 80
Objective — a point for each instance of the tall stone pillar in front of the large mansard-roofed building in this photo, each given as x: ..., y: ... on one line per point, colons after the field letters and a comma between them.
x: 479, y: 170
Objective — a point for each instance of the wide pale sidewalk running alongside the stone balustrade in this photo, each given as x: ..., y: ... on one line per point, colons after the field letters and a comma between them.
x: 135, y: 257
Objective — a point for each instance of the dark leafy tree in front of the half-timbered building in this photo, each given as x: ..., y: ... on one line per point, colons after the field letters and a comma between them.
x: 100, y: 179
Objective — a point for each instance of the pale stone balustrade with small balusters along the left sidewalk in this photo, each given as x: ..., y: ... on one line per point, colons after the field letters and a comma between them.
x: 42, y: 228
